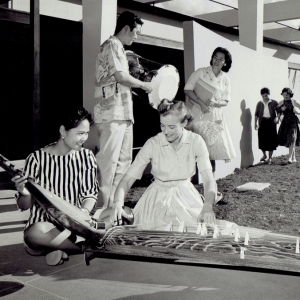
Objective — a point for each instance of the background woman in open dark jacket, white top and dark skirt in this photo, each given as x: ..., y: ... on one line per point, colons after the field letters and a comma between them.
x: 265, y: 121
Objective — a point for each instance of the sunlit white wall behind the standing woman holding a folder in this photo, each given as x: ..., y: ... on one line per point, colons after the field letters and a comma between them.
x: 249, y: 73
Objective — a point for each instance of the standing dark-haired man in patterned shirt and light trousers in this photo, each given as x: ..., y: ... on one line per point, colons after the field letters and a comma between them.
x: 113, y: 112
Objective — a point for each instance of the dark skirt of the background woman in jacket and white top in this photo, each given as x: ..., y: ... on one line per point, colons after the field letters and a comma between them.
x: 267, y: 135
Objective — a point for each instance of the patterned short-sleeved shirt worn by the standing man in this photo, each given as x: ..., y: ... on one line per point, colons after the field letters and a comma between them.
x: 113, y: 100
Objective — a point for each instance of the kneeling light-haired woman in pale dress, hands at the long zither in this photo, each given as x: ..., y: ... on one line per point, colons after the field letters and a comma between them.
x: 173, y: 155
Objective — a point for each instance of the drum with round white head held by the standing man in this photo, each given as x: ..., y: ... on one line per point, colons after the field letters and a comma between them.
x: 164, y: 79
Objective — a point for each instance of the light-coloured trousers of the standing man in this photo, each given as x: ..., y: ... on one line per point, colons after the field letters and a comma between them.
x: 113, y: 158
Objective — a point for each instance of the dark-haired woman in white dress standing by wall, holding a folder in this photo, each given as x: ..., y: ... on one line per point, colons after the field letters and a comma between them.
x: 211, y: 109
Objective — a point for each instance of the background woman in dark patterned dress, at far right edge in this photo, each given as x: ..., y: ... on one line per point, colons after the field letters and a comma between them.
x: 288, y: 133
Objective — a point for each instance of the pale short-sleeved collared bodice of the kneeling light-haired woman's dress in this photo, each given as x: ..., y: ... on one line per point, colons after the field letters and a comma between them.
x: 168, y: 164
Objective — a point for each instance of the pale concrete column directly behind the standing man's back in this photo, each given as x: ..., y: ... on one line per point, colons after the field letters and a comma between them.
x: 99, y: 22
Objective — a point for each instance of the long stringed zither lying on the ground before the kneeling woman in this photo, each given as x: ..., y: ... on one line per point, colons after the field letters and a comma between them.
x: 264, y: 250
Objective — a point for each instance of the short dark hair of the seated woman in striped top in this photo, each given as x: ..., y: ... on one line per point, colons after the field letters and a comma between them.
x: 72, y: 117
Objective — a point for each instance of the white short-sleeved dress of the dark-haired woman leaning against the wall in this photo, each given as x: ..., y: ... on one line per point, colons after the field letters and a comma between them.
x: 223, y: 148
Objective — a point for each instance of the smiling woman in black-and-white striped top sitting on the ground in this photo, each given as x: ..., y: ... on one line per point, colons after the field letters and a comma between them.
x: 68, y: 170
